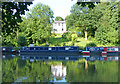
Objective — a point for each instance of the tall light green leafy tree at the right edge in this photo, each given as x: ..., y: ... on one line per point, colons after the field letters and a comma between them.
x: 107, y: 31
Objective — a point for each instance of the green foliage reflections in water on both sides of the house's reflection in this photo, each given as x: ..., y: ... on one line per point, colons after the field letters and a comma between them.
x: 98, y: 71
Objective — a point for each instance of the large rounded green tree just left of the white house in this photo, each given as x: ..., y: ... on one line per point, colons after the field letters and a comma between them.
x: 39, y: 27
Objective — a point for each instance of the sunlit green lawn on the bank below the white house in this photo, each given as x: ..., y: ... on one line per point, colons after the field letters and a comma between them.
x: 81, y: 42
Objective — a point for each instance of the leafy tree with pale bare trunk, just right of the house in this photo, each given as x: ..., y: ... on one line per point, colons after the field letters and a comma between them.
x: 80, y: 19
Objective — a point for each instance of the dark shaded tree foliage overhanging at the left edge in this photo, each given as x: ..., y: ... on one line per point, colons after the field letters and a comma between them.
x: 11, y: 15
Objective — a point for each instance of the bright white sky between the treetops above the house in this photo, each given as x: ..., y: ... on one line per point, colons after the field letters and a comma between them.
x: 59, y: 7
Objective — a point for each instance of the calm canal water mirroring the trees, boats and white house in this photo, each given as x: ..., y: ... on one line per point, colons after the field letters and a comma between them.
x: 17, y: 68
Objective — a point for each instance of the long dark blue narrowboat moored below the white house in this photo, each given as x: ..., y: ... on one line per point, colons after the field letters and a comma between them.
x: 51, y: 51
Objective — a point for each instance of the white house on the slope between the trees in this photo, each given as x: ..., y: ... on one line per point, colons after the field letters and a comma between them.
x: 59, y: 27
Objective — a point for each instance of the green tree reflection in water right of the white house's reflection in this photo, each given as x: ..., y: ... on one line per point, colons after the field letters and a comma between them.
x: 97, y: 71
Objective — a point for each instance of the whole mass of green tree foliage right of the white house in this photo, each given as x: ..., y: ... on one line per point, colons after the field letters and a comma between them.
x: 100, y: 22
